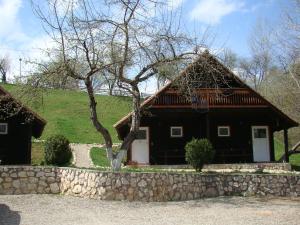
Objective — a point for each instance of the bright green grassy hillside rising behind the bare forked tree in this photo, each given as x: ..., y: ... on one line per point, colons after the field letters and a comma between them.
x: 67, y: 113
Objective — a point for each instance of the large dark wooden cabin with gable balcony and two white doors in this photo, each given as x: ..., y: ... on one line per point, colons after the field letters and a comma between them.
x: 238, y: 121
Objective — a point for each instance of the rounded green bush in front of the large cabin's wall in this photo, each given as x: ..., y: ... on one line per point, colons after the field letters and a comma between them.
x: 198, y: 152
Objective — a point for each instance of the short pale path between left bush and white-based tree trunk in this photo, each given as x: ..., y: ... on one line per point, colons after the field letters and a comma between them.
x: 81, y: 153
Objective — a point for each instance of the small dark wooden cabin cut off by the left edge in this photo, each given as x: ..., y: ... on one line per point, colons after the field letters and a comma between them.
x: 17, y: 126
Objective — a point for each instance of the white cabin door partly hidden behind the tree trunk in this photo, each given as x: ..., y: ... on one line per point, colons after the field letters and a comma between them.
x: 140, y: 147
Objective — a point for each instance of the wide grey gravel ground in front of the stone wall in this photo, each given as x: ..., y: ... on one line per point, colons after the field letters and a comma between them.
x: 66, y: 210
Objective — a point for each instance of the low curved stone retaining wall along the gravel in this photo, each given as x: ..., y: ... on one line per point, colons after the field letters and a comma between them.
x: 143, y: 186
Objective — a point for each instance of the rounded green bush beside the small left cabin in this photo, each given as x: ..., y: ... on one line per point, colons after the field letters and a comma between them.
x: 57, y: 150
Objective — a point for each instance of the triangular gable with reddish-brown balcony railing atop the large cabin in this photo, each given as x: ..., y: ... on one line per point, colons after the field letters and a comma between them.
x: 210, y: 85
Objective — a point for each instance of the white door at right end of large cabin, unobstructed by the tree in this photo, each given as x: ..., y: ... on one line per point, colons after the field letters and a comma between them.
x: 261, y: 144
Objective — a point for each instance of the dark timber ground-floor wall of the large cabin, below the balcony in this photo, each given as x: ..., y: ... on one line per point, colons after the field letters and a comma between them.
x: 199, y: 124
